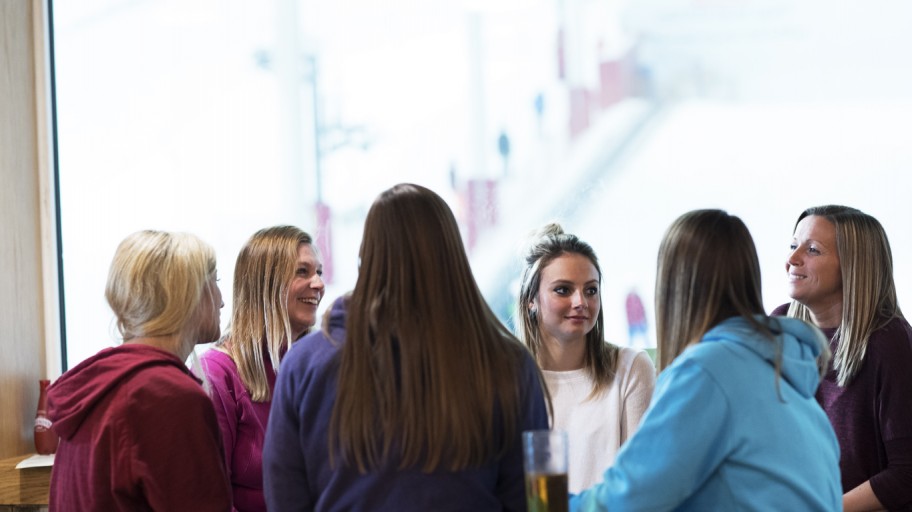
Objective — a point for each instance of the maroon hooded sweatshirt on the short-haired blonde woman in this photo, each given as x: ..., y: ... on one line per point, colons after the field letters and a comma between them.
x: 137, y: 433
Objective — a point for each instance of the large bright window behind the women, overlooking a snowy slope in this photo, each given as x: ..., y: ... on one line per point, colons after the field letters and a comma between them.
x: 612, y: 117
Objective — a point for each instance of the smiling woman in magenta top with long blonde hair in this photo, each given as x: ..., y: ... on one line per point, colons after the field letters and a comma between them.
x: 277, y: 289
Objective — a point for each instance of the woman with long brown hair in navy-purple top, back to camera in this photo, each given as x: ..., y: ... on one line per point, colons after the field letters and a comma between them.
x: 414, y: 395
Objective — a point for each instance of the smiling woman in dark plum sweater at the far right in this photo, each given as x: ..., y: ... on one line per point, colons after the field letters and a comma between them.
x: 840, y: 275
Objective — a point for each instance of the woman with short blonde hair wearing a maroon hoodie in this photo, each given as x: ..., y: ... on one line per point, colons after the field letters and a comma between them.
x: 137, y: 430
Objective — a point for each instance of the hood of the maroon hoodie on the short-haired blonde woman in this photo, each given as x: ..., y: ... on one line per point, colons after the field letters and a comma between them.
x: 76, y: 393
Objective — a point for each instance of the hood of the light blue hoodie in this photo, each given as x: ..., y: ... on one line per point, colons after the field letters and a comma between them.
x: 801, y: 343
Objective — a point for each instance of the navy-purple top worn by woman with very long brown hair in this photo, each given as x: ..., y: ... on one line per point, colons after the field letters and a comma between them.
x: 299, y: 476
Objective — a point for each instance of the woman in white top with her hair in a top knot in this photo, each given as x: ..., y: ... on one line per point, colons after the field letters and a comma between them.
x: 599, y: 390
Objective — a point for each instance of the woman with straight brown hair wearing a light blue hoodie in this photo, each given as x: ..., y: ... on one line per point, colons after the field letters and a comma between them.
x: 733, y: 423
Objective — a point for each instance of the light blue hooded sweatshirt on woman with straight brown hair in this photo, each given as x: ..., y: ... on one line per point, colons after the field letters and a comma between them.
x: 723, y: 433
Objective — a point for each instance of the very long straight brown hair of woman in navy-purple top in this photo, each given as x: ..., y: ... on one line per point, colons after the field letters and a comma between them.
x: 428, y: 374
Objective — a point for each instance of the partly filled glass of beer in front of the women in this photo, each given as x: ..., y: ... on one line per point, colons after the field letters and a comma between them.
x: 545, y: 463
